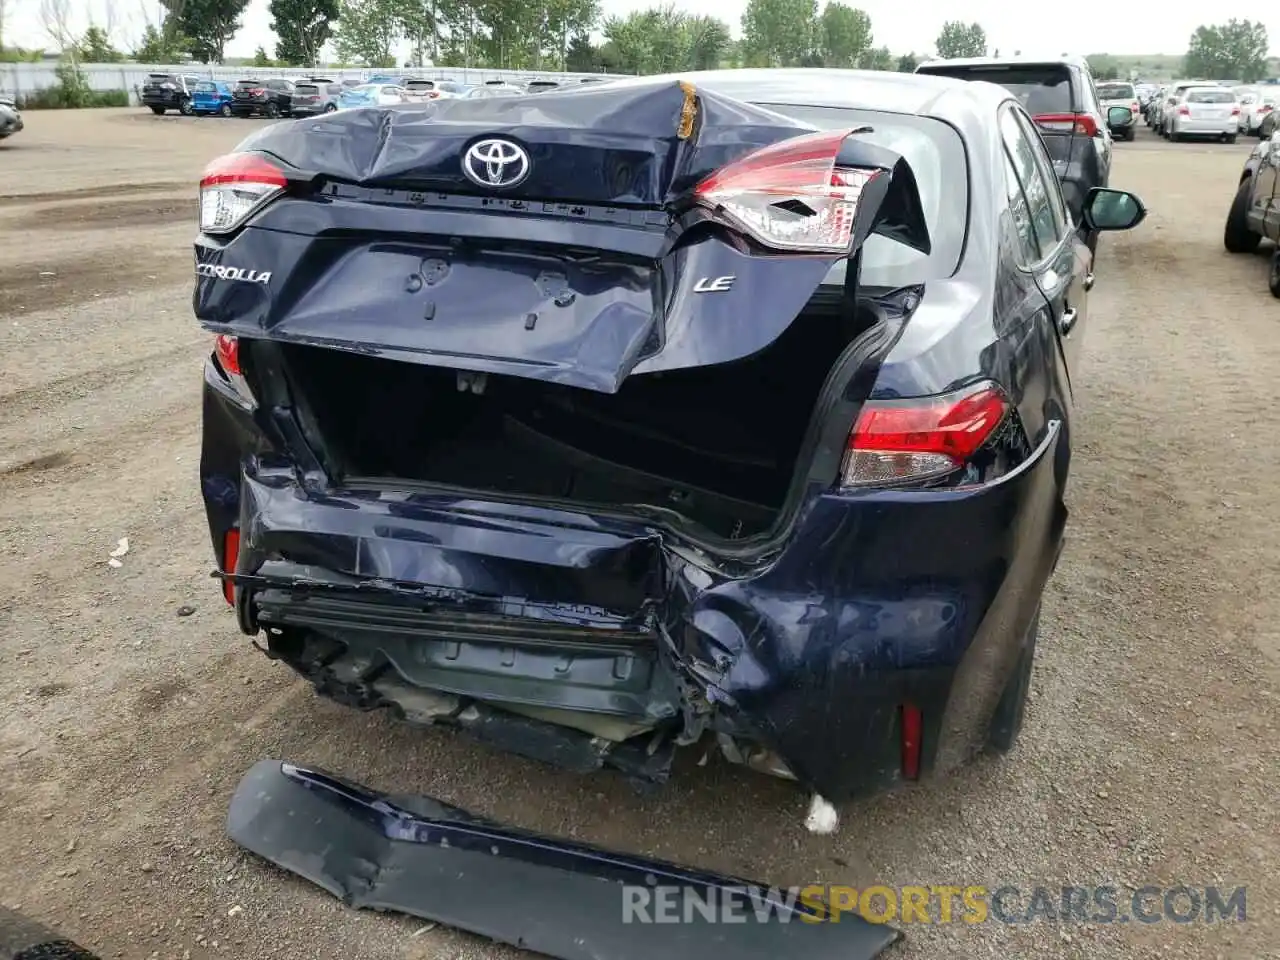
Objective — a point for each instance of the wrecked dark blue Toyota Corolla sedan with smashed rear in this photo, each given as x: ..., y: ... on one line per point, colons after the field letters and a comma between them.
x: 733, y: 406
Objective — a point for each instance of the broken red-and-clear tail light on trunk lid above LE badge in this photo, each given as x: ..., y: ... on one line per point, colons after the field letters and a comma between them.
x: 790, y: 196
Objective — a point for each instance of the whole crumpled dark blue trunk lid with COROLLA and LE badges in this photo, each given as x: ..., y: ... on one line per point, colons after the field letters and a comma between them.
x: 592, y: 269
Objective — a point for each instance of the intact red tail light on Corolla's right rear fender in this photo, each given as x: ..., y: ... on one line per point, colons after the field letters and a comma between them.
x: 906, y: 441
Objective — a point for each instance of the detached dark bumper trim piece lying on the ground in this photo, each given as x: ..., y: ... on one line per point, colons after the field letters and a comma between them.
x: 419, y: 857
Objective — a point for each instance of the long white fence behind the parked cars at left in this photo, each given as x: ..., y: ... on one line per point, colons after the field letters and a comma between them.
x: 24, y: 79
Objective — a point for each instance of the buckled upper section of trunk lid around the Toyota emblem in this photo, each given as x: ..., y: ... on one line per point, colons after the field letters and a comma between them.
x: 625, y: 145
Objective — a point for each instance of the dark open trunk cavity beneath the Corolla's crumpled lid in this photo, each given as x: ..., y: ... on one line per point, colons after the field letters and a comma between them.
x: 717, y: 446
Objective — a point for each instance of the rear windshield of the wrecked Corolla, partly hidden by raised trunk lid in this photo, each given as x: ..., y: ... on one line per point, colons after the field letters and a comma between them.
x: 938, y: 159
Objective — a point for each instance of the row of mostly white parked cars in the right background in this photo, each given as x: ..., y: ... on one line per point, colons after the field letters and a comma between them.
x: 1199, y: 108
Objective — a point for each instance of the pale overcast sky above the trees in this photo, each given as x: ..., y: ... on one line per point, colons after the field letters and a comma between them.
x: 1090, y: 28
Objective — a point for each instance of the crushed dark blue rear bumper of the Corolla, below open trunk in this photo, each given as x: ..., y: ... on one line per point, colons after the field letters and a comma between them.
x: 515, y: 621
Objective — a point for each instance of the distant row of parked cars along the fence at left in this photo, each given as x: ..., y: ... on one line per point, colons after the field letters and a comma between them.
x: 282, y: 97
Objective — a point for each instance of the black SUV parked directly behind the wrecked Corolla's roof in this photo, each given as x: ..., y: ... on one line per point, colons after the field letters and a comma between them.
x: 1062, y: 98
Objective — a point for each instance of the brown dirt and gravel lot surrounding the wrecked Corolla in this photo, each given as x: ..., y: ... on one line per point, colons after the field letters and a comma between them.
x: 1153, y: 752
